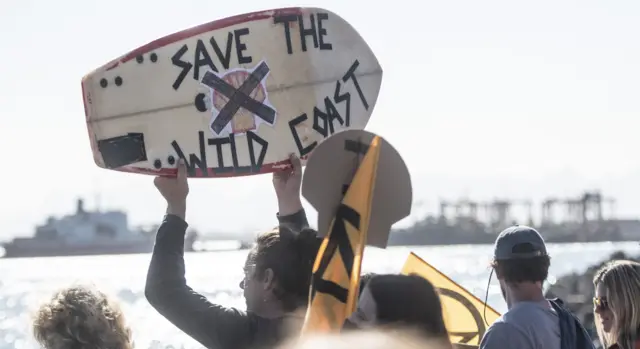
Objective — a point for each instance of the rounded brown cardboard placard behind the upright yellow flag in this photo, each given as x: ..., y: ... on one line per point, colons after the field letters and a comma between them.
x: 329, y: 173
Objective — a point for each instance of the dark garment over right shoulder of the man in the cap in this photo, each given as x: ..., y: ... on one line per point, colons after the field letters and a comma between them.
x: 572, y: 334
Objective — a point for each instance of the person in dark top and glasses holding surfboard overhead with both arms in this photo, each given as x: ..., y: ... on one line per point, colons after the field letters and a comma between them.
x: 277, y: 272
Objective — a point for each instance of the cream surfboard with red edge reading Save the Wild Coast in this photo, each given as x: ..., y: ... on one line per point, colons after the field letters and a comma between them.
x: 233, y: 97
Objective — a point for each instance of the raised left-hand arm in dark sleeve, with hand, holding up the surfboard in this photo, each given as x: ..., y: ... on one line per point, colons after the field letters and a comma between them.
x: 167, y: 291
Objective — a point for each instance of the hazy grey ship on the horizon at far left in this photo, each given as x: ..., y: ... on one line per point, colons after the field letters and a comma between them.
x: 86, y: 233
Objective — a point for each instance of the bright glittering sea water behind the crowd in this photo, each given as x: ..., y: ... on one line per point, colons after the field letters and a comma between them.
x: 24, y: 283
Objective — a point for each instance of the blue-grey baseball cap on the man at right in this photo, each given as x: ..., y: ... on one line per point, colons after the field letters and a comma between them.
x: 519, y: 241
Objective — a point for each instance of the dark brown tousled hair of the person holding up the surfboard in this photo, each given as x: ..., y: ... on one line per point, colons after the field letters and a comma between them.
x: 290, y: 256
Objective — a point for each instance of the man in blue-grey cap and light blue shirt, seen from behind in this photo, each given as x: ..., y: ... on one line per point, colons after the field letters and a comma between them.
x: 521, y: 264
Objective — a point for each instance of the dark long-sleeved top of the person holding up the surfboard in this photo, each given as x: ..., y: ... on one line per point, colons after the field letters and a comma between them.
x: 214, y: 326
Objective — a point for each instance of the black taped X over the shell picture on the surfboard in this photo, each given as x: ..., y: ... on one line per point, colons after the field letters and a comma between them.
x: 239, y: 98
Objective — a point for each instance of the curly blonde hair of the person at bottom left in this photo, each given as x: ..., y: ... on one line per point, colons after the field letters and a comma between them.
x: 81, y: 317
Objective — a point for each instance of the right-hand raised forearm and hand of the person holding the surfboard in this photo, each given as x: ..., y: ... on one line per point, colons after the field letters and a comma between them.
x: 287, y: 186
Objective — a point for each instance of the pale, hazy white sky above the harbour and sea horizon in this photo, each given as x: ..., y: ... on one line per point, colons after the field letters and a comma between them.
x: 520, y: 100
